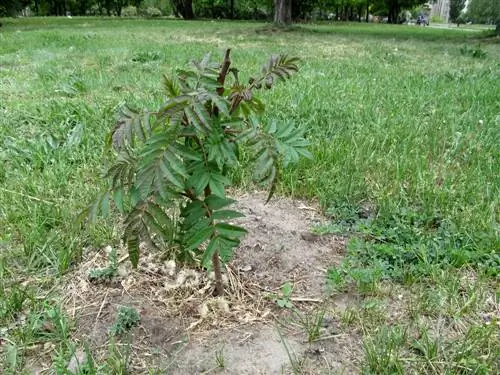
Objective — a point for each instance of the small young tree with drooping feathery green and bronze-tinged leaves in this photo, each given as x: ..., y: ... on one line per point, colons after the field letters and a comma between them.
x: 170, y: 167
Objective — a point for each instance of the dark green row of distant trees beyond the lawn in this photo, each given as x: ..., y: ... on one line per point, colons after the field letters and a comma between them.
x: 284, y: 11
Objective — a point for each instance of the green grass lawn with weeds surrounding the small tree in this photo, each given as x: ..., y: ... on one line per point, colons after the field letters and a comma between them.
x: 404, y: 124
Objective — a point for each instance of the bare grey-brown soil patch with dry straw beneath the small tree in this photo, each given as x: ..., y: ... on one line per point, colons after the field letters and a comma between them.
x: 183, y: 326
